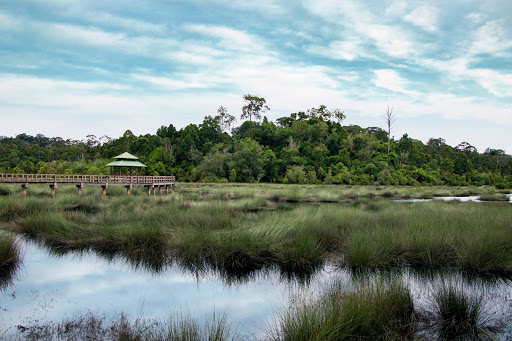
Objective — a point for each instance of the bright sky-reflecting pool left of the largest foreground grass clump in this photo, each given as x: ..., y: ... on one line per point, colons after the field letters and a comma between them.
x: 54, y: 284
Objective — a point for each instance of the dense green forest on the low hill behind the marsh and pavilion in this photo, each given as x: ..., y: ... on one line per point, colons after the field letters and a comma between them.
x: 304, y: 148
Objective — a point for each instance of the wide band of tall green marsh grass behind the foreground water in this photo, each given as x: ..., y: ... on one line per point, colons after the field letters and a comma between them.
x: 248, y: 234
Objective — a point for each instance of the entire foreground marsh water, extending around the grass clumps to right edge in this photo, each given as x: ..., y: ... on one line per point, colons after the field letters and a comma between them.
x: 50, y: 288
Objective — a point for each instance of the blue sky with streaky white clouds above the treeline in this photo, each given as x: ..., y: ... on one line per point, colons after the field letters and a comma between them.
x: 71, y: 68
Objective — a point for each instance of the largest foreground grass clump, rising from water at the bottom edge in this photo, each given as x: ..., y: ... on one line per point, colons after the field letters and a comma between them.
x: 377, y: 311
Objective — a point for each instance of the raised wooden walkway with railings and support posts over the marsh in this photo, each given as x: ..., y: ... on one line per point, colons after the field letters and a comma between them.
x: 150, y: 182
